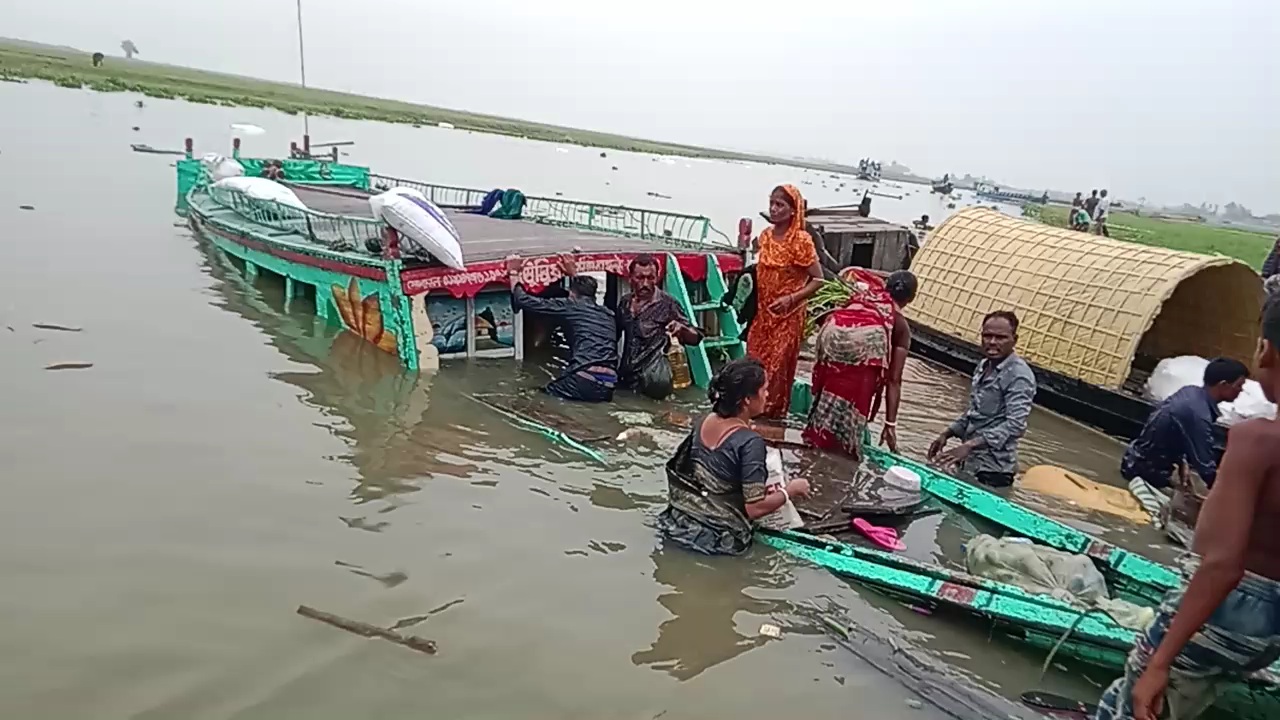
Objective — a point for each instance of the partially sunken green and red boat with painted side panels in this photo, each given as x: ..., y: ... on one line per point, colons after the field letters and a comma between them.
x: 350, y: 265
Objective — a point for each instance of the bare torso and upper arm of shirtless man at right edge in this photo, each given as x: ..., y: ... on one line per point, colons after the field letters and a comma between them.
x: 1251, y: 472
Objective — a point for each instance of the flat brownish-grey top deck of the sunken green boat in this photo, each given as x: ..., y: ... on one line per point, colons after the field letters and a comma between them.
x: 488, y: 239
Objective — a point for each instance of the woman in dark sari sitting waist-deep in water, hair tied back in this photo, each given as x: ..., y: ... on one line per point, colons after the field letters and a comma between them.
x: 717, y: 479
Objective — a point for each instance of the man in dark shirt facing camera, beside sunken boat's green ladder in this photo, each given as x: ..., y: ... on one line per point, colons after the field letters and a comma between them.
x: 648, y: 317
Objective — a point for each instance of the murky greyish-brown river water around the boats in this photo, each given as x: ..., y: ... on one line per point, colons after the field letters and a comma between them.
x: 167, y: 511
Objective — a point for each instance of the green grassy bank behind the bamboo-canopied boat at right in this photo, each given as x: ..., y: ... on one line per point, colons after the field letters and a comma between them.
x: 1249, y: 247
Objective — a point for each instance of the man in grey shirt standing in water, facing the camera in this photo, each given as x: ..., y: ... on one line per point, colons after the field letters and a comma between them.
x: 1000, y: 403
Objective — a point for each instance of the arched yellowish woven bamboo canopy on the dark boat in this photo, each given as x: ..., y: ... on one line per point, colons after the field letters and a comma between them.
x: 1087, y: 306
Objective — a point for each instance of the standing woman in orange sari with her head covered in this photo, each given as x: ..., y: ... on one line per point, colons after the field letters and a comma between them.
x: 788, y: 275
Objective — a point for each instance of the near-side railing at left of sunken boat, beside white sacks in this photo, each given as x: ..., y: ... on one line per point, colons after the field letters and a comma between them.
x: 336, y: 233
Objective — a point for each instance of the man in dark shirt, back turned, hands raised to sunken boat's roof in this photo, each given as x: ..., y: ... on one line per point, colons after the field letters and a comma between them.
x: 591, y: 329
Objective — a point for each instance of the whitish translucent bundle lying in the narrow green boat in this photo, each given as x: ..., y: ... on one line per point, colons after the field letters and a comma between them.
x: 1044, y: 571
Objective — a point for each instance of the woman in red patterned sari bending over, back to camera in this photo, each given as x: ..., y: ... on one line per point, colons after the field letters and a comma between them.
x: 862, y: 352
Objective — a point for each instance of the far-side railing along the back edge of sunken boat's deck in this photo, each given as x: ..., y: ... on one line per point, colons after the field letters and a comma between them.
x: 693, y: 231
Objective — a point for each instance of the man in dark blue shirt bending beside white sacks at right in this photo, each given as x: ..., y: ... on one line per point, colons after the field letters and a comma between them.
x: 1181, y: 431
